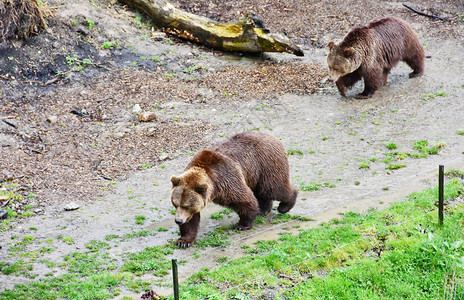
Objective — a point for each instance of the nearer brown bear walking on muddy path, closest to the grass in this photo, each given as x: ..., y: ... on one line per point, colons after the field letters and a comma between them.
x: 244, y: 173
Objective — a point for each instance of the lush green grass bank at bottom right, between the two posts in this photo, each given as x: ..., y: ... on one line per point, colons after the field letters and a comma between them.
x: 396, y: 253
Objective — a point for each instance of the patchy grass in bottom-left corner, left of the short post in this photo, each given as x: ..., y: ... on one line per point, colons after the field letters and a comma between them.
x: 91, y: 274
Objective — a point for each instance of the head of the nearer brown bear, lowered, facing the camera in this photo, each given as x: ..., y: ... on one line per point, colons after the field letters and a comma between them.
x: 190, y: 193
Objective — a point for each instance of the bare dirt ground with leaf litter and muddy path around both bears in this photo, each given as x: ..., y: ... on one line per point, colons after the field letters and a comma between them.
x: 115, y: 167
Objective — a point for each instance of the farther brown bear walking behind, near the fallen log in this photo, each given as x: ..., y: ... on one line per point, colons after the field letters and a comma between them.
x: 370, y: 52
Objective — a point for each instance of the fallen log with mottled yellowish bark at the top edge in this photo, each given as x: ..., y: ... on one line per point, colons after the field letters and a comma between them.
x: 245, y: 35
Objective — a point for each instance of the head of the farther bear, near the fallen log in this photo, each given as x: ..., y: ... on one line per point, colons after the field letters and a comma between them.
x: 342, y: 60
